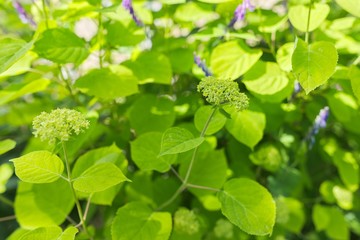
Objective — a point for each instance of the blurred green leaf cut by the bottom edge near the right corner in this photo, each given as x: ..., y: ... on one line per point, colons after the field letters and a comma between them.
x: 331, y: 220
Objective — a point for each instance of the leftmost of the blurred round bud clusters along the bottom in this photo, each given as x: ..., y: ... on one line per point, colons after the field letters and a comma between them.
x: 185, y: 221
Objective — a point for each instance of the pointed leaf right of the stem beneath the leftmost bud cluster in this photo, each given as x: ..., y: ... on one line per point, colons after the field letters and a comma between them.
x: 99, y: 177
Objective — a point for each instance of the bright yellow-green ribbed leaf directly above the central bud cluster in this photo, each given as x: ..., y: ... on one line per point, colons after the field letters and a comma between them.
x: 232, y: 59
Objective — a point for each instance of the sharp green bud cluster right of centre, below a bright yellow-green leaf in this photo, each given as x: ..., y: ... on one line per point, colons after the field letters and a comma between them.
x: 219, y: 91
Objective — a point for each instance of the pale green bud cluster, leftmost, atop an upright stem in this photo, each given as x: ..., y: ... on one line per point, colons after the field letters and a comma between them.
x: 59, y: 124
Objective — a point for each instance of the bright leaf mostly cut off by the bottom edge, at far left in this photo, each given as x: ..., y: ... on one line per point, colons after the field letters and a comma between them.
x: 50, y: 233
